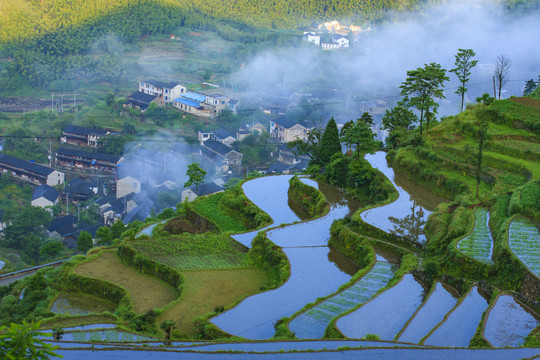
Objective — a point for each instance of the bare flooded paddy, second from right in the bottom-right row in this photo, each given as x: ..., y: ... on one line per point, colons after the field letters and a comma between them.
x: 461, y: 324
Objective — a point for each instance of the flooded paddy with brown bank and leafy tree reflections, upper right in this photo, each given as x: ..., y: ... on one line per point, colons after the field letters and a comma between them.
x: 408, y: 214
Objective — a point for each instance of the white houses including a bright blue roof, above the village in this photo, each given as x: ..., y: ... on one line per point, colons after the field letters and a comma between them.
x: 178, y: 96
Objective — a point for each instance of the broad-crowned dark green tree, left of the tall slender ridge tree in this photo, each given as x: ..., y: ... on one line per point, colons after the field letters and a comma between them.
x: 421, y: 88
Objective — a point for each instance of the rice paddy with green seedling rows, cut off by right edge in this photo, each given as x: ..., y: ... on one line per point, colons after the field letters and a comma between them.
x: 524, y: 240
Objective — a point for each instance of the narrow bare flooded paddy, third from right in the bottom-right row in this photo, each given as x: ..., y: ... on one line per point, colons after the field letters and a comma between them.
x: 438, y: 304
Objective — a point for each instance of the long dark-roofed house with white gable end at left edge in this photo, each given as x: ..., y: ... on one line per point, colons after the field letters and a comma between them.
x: 30, y: 171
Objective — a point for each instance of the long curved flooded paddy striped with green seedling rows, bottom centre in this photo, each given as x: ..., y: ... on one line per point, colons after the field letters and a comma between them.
x: 313, y: 323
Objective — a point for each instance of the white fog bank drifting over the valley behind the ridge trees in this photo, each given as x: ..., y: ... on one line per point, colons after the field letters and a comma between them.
x: 377, y: 64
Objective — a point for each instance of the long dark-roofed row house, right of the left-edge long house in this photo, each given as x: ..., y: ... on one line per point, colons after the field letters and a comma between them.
x: 88, y: 160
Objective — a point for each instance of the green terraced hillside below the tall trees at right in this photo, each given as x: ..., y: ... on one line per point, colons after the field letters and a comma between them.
x: 446, y: 162
